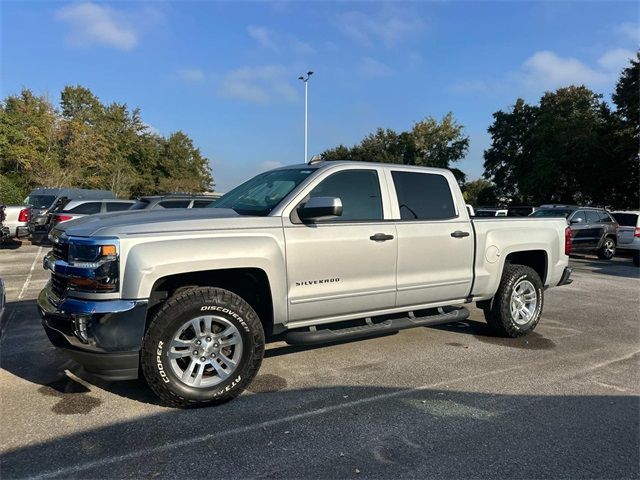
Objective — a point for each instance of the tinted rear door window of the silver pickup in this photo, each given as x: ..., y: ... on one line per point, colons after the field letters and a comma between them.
x: 423, y: 196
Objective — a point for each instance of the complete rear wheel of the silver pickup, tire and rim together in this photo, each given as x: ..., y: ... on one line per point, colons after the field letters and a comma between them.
x: 515, y: 309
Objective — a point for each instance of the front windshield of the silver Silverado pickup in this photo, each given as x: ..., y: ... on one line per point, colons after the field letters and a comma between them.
x: 263, y: 192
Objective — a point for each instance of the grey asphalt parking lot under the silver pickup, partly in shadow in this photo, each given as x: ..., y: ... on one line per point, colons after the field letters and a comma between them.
x: 449, y: 401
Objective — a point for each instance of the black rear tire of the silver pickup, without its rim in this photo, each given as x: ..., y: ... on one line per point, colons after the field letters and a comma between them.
x: 498, y: 313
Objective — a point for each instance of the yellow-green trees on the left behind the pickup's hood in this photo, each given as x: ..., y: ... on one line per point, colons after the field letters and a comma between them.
x: 89, y: 144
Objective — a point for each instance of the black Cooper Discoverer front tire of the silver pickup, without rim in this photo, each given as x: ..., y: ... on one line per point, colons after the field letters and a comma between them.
x: 191, y: 303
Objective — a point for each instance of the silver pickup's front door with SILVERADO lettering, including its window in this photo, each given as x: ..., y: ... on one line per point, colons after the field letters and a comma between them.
x: 347, y: 264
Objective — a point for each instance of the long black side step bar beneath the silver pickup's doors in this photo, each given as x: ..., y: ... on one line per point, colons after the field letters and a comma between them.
x: 313, y: 336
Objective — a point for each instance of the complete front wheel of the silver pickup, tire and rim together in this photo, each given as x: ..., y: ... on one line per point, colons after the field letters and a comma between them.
x: 203, y: 347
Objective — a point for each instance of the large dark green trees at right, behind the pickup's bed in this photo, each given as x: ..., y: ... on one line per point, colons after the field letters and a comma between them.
x: 570, y: 148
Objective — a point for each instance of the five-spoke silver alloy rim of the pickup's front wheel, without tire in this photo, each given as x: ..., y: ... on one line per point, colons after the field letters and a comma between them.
x: 205, y: 351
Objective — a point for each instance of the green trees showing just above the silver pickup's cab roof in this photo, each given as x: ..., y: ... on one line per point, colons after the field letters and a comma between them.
x: 429, y: 143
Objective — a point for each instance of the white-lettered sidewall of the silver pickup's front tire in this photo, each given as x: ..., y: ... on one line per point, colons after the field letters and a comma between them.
x: 159, y: 338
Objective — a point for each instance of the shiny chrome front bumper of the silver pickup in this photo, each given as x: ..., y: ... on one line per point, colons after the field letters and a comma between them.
x: 105, y: 336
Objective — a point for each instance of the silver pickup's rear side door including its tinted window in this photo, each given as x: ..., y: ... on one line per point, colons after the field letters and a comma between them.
x: 435, y: 241
